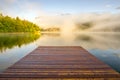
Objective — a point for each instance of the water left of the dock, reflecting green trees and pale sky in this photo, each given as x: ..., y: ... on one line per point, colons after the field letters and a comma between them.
x: 13, y: 47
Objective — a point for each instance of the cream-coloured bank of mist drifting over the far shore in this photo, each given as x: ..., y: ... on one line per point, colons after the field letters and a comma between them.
x: 103, y: 22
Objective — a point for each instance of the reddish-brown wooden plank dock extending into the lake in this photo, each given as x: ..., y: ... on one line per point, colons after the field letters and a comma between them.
x: 59, y: 63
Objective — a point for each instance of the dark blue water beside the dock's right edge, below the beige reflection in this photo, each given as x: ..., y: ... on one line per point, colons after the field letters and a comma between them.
x: 109, y: 56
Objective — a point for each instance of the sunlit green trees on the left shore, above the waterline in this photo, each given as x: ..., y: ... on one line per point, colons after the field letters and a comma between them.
x: 8, y: 24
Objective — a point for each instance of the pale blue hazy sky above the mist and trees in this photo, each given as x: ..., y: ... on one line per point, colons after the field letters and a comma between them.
x: 29, y: 9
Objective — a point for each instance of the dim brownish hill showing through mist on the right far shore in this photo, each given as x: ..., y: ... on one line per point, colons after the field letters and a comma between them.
x: 93, y: 27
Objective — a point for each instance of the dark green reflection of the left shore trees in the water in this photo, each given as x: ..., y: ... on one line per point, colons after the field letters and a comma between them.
x: 8, y: 41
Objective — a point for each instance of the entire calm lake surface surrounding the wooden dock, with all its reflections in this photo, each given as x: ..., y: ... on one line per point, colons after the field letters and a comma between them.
x: 105, y: 46
